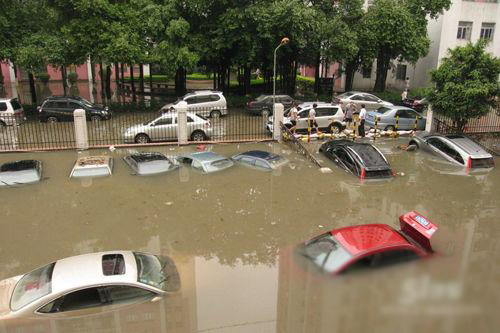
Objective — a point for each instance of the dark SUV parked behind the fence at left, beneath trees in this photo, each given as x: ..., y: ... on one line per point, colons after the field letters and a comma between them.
x: 59, y: 108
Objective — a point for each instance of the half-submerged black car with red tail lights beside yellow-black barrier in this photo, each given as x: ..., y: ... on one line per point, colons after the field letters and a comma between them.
x: 361, y: 159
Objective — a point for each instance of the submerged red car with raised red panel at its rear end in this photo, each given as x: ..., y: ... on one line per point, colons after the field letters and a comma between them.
x: 371, y: 245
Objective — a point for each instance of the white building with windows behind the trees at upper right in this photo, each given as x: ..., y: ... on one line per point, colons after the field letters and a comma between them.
x: 466, y: 20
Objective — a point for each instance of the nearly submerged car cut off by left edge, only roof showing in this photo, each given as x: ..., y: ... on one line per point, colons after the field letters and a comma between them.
x: 20, y: 172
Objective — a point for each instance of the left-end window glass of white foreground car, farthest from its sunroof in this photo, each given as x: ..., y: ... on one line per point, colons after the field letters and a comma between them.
x: 32, y: 286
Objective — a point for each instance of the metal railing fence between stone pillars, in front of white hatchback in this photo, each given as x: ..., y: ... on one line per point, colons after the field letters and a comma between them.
x: 17, y: 134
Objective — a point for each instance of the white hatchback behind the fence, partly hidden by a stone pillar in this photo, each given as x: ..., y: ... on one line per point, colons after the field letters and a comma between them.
x: 164, y: 128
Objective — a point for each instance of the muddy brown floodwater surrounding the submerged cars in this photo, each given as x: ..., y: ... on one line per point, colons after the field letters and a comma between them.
x: 231, y: 234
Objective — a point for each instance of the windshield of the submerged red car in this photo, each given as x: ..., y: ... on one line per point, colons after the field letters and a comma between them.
x: 327, y: 253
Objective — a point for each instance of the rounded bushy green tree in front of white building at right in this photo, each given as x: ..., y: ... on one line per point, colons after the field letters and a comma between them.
x: 466, y: 84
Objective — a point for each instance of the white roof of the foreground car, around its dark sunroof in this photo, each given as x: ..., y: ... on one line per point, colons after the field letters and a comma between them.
x: 86, y: 270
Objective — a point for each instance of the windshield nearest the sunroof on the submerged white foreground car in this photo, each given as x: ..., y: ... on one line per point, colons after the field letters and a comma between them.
x: 158, y: 272
